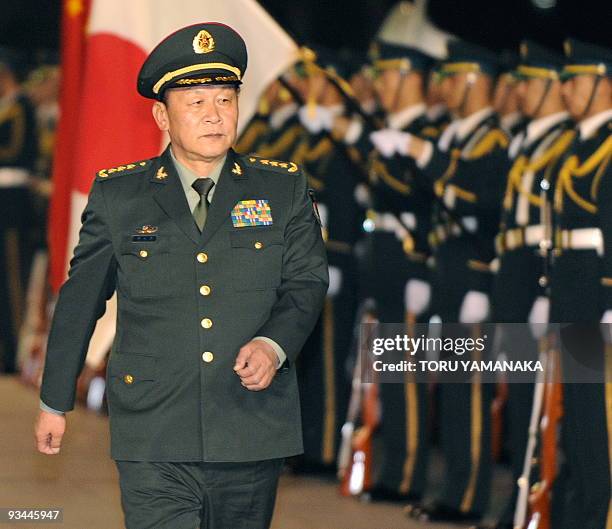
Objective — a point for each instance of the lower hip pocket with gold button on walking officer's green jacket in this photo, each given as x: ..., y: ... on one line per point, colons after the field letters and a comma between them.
x: 132, y: 381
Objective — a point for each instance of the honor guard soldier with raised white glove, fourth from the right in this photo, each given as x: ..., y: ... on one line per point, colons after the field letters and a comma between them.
x: 396, y: 274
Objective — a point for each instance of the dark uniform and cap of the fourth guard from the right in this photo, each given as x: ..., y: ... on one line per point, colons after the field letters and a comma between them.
x: 397, y: 227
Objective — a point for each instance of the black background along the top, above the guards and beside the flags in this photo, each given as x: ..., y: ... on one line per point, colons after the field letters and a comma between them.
x: 499, y: 24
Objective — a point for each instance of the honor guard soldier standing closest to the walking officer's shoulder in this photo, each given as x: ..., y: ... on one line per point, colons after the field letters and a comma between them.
x: 322, y: 372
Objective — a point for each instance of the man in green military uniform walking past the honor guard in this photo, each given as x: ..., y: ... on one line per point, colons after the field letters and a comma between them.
x: 214, y: 302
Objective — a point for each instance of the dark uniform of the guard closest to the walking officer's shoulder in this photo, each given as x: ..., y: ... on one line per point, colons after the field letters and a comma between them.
x: 325, y: 384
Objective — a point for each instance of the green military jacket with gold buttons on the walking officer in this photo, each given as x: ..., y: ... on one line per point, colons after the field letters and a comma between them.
x: 187, y: 302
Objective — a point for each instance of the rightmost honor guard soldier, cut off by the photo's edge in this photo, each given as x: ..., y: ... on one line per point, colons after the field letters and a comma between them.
x: 581, y: 288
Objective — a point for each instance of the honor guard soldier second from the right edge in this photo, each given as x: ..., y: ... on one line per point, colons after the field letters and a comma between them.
x: 520, y: 291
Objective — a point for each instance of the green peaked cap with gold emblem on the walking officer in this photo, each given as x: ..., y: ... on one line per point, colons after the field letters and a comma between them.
x: 208, y: 53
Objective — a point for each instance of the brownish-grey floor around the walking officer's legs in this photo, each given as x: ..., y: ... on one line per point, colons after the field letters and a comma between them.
x: 83, y: 480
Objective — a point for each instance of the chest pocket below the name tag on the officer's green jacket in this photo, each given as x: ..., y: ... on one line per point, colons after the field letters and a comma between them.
x: 146, y: 264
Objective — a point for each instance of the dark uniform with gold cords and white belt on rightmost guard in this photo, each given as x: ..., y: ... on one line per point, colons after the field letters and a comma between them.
x: 581, y: 292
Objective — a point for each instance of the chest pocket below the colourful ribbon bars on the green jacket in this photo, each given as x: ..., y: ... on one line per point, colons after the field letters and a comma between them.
x: 257, y: 256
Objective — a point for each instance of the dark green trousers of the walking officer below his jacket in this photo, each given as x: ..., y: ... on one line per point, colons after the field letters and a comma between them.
x: 198, y: 495
